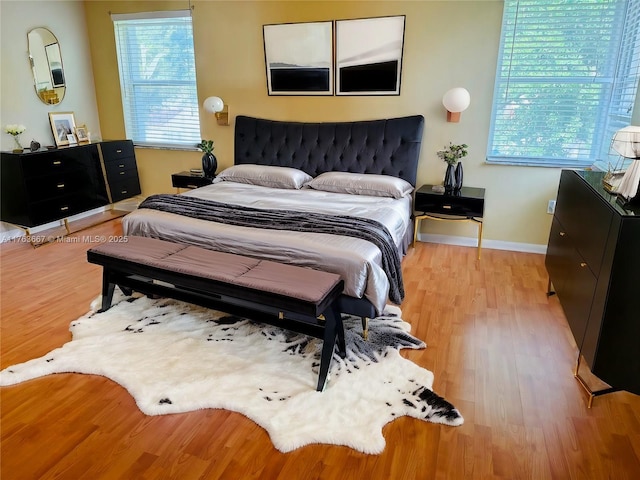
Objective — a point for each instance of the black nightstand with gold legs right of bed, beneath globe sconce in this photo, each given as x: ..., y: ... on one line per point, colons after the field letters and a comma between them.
x: 465, y: 205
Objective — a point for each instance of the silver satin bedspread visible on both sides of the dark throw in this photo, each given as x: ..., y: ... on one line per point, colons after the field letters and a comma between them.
x: 357, y: 261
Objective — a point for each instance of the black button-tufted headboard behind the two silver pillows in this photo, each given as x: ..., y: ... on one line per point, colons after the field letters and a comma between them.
x: 389, y: 147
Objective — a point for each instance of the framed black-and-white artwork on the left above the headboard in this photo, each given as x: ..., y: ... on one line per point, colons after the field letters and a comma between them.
x: 299, y: 58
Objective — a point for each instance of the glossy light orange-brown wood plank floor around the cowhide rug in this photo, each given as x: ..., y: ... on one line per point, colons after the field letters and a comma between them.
x: 499, y: 348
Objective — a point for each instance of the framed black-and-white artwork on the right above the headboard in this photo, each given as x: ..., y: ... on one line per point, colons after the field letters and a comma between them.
x: 369, y: 55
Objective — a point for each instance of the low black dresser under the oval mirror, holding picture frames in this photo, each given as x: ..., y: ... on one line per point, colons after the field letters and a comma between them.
x: 48, y: 185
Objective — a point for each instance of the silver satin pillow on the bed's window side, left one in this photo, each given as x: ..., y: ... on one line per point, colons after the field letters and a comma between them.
x: 265, y: 175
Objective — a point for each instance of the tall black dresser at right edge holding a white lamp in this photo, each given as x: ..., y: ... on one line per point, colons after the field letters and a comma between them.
x: 593, y: 261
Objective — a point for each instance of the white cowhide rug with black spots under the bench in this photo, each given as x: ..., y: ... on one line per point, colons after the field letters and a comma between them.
x: 174, y: 357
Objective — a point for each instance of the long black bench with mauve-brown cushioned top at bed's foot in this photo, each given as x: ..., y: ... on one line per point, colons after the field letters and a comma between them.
x: 296, y: 298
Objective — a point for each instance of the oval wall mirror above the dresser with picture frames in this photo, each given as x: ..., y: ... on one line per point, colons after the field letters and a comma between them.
x: 46, y: 64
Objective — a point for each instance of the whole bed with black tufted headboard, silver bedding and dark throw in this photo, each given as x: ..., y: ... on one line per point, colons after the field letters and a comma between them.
x: 314, y: 178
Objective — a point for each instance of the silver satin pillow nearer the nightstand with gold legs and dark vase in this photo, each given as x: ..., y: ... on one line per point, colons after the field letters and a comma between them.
x: 361, y: 184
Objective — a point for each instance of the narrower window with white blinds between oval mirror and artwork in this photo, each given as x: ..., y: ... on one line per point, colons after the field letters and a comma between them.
x: 157, y: 78
